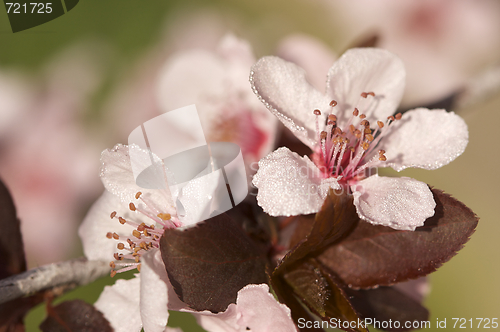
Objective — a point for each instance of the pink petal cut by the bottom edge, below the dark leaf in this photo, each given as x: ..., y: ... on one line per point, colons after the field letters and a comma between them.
x: 255, y: 310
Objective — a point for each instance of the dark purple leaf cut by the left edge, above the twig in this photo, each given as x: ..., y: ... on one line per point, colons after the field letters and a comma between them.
x: 12, y: 259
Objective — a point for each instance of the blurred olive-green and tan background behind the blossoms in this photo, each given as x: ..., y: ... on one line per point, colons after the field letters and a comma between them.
x: 127, y: 30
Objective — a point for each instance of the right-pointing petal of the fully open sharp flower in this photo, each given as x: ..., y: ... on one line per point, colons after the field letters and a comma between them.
x: 425, y: 138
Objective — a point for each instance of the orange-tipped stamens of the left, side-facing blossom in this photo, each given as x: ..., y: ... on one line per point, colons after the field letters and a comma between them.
x: 143, y: 238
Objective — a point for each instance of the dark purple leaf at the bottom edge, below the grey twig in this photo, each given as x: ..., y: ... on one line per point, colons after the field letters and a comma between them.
x: 75, y: 316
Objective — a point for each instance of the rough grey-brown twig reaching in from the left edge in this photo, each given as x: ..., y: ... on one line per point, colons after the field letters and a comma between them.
x: 70, y: 274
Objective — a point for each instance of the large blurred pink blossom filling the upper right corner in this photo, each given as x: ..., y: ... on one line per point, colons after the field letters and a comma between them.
x: 442, y: 42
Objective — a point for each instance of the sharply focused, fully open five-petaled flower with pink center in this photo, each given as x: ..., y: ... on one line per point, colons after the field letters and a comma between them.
x: 348, y: 139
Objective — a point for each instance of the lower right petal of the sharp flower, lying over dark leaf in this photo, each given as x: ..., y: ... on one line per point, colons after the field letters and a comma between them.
x: 401, y: 203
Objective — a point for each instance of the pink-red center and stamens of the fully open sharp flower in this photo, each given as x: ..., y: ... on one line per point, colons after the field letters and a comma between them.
x: 347, y: 153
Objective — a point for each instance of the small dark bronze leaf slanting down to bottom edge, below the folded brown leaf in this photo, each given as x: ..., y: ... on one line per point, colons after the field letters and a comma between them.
x: 321, y: 293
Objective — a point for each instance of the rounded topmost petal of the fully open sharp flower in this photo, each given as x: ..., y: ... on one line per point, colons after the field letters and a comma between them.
x: 366, y: 70
